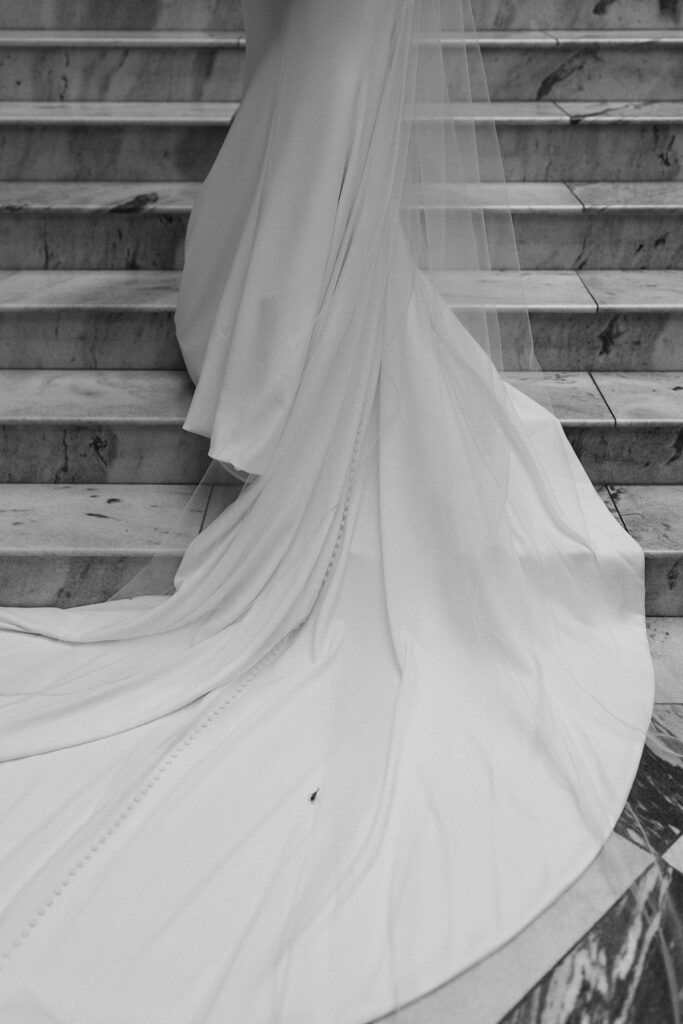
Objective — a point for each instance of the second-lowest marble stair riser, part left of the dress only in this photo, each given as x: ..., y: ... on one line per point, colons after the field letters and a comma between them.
x: 100, y: 453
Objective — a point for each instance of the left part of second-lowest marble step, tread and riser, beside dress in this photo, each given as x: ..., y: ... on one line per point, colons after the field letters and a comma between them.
x: 97, y: 428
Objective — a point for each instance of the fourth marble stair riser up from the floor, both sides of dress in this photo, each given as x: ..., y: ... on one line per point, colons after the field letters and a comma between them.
x: 155, y: 241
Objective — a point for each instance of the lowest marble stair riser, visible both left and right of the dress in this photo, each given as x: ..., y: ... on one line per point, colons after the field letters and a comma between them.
x: 67, y: 581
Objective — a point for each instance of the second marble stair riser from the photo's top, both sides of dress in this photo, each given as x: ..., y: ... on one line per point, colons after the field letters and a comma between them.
x: 215, y: 74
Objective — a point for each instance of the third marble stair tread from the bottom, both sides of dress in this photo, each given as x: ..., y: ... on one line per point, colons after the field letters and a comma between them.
x: 585, y: 291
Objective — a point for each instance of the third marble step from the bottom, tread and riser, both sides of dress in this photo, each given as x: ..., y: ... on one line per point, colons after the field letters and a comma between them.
x: 592, y: 320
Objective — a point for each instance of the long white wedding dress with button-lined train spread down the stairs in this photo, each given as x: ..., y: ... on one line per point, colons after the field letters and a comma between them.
x: 398, y: 699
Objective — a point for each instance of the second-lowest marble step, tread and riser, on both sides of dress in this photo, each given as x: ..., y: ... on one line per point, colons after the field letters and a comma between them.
x: 125, y: 426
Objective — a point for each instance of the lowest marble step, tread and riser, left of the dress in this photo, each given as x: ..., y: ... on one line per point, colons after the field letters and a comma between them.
x: 72, y: 544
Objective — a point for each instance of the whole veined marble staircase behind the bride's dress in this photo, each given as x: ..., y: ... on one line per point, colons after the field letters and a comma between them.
x: 111, y: 116
